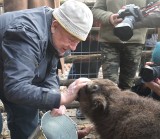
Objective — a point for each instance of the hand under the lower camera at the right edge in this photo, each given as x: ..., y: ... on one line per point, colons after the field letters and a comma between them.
x: 154, y: 86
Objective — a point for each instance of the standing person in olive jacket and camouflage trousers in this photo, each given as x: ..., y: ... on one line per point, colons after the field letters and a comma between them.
x: 120, y: 59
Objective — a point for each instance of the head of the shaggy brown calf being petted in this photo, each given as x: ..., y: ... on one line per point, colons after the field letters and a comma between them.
x: 95, y: 96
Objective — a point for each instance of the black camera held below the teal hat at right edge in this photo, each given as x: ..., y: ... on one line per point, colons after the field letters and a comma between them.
x: 150, y: 73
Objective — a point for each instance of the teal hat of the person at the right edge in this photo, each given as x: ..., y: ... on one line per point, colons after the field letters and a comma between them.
x: 156, y: 54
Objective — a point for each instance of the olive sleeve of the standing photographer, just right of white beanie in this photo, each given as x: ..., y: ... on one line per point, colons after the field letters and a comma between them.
x: 100, y: 12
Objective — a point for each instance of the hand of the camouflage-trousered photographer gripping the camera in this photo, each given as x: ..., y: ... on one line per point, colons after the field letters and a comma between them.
x: 114, y: 20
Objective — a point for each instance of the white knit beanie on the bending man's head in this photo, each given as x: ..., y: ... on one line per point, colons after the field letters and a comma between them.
x: 75, y: 17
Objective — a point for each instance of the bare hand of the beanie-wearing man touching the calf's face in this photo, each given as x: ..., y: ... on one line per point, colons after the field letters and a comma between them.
x: 72, y: 91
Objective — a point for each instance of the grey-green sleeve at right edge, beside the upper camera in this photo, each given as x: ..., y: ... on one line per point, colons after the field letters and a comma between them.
x: 150, y: 21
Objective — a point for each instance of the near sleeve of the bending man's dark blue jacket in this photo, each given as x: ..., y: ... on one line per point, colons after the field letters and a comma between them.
x: 20, y: 52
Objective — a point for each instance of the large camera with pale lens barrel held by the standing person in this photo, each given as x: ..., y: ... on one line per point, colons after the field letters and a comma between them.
x: 130, y: 15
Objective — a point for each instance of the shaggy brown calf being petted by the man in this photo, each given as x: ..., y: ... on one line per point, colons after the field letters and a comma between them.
x: 119, y: 114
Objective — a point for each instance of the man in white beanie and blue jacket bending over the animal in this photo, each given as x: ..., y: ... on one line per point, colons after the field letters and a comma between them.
x: 32, y: 41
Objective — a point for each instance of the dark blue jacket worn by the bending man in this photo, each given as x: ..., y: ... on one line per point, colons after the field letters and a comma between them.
x: 28, y: 60
